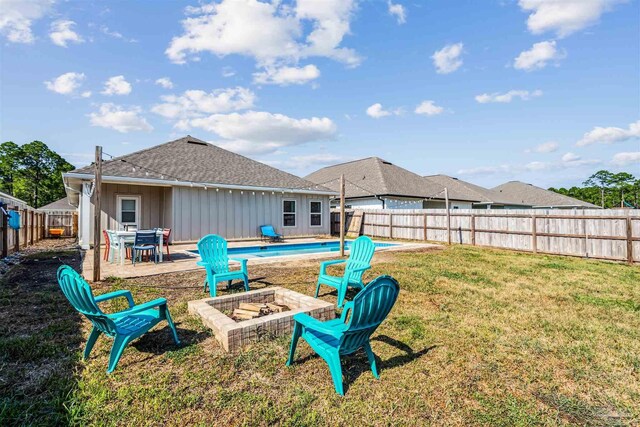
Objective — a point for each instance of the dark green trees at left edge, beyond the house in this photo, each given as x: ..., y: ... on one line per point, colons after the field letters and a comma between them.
x: 32, y: 172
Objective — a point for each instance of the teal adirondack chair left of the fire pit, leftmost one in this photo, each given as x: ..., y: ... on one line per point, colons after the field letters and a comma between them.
x: 123, y: 326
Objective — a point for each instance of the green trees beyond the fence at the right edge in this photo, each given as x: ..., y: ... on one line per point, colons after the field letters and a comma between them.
x: 607, y: 189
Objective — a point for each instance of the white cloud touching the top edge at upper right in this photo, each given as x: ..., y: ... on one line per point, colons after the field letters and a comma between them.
x: 564, y: 16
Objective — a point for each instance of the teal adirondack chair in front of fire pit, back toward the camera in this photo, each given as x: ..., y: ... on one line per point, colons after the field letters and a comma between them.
x: 346, y: 335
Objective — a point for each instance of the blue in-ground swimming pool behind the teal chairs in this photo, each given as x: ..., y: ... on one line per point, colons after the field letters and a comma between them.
x: 265, y: 251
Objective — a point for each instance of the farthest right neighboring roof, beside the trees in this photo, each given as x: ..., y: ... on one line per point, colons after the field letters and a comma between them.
x: 538, y: 197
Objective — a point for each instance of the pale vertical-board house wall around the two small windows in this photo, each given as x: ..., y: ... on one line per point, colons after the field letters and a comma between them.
x: 238, y: 215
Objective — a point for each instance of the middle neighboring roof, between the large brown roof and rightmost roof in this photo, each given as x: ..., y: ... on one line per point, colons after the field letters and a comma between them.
x: 483, y: 198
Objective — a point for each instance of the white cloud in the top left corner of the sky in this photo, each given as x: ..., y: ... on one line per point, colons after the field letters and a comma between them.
x: 17, y: 16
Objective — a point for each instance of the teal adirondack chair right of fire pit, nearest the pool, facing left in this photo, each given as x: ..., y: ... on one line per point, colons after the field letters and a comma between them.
x: 360, y: 254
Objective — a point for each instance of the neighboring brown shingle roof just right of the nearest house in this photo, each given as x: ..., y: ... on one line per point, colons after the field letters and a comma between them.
x: 376, y: 177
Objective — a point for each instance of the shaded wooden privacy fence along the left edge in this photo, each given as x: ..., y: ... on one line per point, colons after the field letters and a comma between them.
x: 32, y: 227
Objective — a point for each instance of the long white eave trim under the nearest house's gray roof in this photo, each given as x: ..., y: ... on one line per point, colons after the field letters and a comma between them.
x: 212, y: 185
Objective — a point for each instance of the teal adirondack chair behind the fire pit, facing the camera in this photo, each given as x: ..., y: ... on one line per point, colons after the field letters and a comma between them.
x: 213, y: 251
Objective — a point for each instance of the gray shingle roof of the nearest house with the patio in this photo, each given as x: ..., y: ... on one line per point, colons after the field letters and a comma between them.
x: 191, y: 159
